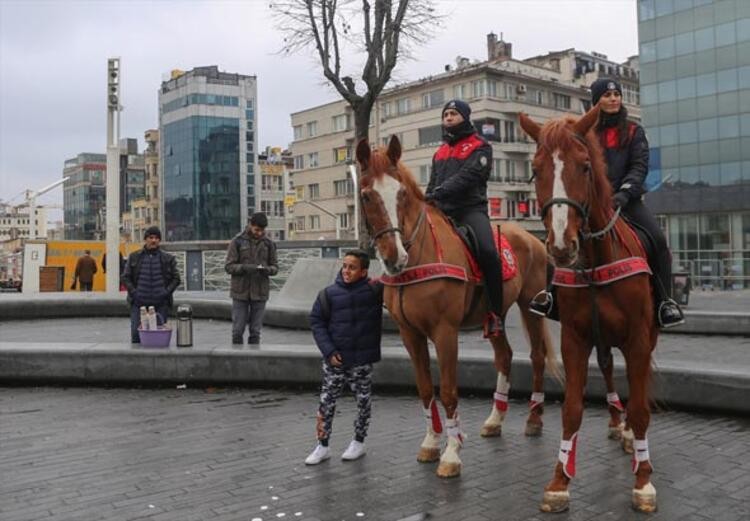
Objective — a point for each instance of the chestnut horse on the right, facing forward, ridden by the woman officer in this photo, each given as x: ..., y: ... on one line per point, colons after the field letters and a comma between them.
x: 583, y: 233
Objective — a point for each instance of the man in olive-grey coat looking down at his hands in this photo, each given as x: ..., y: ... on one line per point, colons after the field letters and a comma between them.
x: 251, y: 260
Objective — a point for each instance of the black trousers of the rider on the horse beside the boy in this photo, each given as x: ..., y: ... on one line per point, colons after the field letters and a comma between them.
x: 488, y: 258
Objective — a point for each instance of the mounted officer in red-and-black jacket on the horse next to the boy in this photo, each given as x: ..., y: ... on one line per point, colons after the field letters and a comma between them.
x: 458, y: 186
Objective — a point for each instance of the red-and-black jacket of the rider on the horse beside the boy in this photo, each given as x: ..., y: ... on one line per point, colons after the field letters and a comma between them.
x: 459, y: 175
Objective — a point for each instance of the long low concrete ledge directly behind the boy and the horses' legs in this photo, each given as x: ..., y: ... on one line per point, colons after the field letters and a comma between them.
x: 123, y: 364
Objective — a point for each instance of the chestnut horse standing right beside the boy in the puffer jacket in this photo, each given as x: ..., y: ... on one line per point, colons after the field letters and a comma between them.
x: 435, y: 309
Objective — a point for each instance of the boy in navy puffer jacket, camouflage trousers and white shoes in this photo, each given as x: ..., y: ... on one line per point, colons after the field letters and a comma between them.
x: 346, y: 321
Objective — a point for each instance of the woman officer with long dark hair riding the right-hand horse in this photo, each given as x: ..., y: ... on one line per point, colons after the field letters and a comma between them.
x: 626, y: 152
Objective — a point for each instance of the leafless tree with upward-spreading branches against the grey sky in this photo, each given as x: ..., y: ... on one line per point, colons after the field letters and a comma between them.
x: 384, y: 30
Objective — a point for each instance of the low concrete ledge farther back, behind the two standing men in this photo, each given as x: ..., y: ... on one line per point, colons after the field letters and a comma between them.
x: 288, y: 312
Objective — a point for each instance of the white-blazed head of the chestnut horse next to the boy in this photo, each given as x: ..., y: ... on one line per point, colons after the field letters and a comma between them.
x: 383, y: 198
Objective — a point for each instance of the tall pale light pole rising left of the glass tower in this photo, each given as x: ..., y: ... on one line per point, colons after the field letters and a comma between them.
x: 113, y: 176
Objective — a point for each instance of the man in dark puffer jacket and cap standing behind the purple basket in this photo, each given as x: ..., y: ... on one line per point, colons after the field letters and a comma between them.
x: 150, y: 277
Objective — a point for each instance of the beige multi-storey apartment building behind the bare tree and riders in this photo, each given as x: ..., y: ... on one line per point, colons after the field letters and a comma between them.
x: 497, y: 89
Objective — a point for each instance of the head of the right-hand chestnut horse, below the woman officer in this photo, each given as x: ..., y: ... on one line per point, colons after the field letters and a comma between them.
x: 568, y: 169
